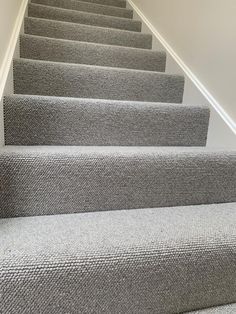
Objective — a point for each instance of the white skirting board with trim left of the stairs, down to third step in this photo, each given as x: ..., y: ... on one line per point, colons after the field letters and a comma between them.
x: 6, y: 71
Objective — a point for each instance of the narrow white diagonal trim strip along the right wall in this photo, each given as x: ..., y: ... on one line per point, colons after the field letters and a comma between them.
x: 203, y: 90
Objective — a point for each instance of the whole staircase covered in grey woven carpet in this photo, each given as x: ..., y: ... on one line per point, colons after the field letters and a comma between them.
x: 110, y: 201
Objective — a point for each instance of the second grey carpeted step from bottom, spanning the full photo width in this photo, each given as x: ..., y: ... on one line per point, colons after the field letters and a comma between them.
x: 43, y: 180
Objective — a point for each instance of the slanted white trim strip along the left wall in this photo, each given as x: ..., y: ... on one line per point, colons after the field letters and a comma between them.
x: 7, y: 61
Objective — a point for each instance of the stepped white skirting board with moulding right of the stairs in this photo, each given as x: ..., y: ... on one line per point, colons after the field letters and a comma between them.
x: 222, y: 129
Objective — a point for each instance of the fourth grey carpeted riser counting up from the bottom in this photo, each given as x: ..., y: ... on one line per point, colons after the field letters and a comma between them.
x: 72, y: 80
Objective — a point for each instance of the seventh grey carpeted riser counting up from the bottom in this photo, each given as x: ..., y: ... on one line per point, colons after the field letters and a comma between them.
x: 53, y: 13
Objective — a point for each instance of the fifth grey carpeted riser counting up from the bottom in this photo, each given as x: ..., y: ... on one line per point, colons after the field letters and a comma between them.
x: 60, y: 50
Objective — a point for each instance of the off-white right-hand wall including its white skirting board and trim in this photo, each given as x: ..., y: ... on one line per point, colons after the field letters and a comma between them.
x: 200, y: 39
